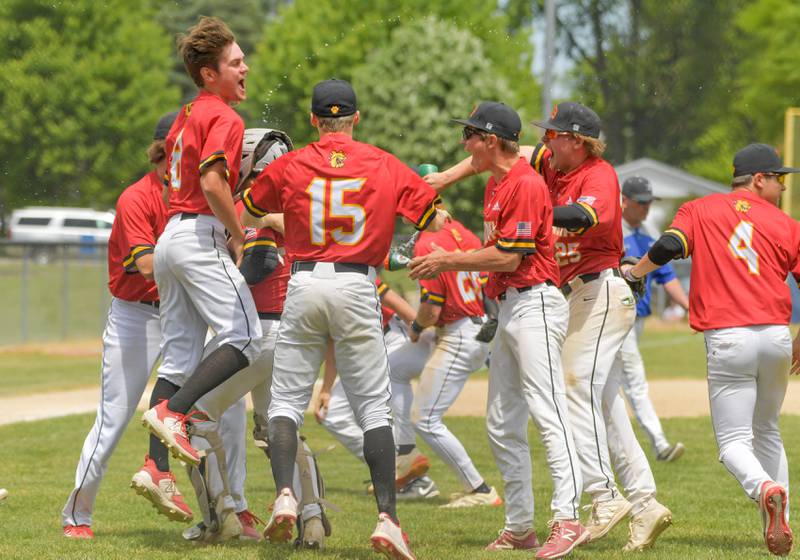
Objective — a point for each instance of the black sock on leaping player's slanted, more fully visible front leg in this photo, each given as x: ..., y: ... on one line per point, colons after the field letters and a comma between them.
x: 212, y: 372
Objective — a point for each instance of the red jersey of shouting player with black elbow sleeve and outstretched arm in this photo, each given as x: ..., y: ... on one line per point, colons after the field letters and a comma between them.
x: 595, y: 186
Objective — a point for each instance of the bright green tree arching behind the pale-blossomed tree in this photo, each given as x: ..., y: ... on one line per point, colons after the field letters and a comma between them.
x: 311, y: 41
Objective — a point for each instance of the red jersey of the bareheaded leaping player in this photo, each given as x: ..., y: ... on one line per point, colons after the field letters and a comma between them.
x: 206, y: 131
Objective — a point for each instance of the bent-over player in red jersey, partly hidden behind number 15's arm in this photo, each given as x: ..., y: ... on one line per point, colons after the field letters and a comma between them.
x: 453, y: 304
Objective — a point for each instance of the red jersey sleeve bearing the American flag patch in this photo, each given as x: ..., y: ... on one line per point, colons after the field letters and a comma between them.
x: 520, y: 217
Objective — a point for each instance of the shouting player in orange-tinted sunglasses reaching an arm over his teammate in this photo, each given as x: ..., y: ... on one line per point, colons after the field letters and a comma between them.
x: 585, y: 194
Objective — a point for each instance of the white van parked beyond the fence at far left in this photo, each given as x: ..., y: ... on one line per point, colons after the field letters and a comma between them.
x: 44, y: 224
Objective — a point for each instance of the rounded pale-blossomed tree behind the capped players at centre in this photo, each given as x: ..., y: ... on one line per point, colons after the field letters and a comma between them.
x: 430, y: 71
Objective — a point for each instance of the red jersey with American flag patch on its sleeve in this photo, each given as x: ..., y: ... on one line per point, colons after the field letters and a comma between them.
x: 518, y: 217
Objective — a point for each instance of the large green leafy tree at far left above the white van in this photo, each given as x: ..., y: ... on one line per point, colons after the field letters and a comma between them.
x: 82, y: 87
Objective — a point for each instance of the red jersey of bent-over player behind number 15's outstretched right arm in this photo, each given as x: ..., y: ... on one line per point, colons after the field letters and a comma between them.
x: 459, y: 293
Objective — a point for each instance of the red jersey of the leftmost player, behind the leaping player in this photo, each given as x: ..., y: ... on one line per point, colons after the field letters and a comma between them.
x: 140, y: 219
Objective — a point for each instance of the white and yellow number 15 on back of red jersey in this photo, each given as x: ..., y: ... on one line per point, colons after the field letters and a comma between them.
x: 327, y: 202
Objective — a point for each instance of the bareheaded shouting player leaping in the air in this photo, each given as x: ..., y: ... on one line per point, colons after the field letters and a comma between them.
x: 199, y: 283
